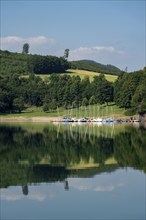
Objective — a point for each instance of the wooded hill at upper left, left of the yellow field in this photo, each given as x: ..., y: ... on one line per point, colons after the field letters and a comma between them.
x: 16, y: 63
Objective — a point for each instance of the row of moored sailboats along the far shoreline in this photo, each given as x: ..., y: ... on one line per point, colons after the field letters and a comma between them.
x: 100, y: 120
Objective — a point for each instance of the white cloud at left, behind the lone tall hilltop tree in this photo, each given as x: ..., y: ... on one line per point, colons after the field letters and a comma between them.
x: 15, y: 43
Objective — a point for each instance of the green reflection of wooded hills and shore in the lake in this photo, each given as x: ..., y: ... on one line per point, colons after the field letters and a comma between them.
x: 51, y: 153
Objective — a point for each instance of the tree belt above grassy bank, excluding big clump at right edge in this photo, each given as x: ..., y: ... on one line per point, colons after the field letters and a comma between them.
x: 55, y: 91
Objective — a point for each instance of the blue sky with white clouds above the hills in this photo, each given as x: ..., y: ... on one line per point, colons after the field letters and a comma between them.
x: 109, y: 32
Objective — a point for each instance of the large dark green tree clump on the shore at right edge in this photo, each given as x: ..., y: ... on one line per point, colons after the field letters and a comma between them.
x: 130, y: 91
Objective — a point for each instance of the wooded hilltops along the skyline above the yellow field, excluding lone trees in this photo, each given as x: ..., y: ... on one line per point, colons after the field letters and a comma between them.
x: 18, y: 63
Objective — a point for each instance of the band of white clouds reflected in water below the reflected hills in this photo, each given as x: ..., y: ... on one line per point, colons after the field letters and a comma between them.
x: 43, y: 191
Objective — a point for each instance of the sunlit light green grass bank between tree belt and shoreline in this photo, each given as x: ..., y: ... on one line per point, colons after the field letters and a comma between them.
x: 89, y: 111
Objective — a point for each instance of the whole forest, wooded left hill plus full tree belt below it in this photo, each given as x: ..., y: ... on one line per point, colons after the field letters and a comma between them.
x: 18, y: 92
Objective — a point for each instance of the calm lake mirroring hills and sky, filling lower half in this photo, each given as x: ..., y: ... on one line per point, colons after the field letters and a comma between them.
x: 72, y: 171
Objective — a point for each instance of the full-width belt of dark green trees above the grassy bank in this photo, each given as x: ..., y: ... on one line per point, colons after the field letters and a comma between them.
x: 129, y: 92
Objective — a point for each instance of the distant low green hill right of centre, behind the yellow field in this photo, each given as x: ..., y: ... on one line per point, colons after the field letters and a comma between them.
x: 91, y: 65
